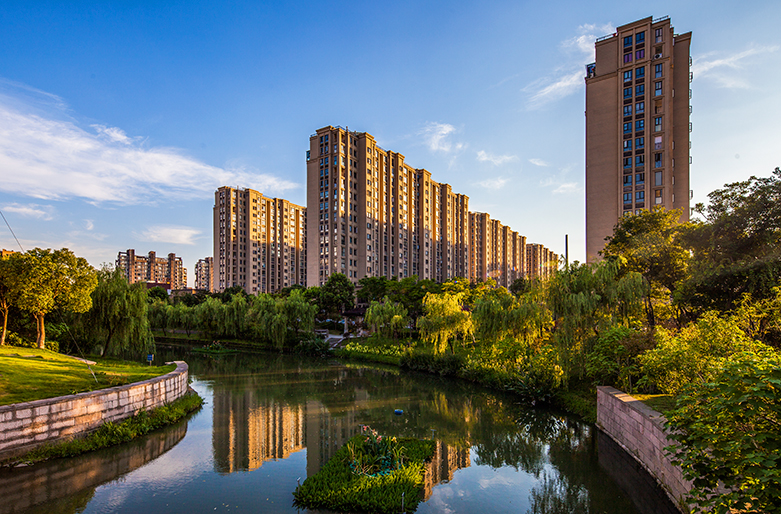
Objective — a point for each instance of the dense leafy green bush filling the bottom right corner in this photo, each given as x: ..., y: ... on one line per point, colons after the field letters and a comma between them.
x: 728, y: 433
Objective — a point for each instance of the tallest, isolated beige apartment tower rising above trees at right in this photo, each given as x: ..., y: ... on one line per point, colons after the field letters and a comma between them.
x: 637, y: 126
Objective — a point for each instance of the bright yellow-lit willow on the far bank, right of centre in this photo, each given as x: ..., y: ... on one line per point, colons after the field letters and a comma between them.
x: 444, y: 320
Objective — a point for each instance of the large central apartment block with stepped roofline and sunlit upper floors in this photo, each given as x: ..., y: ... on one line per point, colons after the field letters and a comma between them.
x: 374, y: 215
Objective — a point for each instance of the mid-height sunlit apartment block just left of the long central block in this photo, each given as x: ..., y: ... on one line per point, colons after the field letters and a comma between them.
x: 259, y: 242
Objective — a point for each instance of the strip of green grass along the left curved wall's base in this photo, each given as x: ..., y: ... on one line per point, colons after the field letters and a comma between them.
x: 111, y: 434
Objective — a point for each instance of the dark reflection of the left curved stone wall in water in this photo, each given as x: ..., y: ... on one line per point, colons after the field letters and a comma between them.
x: 40, y: 488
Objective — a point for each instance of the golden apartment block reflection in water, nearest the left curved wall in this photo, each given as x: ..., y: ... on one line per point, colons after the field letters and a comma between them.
x: 248, y: 431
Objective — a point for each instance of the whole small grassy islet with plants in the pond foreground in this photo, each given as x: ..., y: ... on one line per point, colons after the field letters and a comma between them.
x: 371, y: 473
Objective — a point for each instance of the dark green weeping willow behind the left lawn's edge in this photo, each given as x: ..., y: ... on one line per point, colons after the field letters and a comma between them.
x: 117, y: 321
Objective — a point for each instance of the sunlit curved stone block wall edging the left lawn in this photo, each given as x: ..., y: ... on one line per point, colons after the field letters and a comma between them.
x: 26, y: 425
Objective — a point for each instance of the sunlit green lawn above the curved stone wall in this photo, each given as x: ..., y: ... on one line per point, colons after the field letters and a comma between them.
x: 28, y: 374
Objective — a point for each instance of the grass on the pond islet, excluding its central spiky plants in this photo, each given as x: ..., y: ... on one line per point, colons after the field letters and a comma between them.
x: 336, y: 487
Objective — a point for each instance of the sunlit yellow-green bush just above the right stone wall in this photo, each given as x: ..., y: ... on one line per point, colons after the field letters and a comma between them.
x: 695, y: 354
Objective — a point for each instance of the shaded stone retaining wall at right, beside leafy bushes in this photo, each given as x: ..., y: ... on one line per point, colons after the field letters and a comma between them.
x: 639, y: 430
